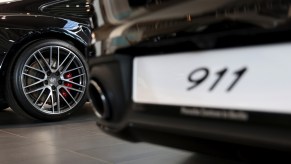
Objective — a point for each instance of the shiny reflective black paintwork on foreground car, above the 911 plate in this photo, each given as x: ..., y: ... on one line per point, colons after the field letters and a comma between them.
x: 201, y: 24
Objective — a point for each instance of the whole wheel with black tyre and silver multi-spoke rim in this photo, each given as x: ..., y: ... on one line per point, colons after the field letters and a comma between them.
x: 47, y: 80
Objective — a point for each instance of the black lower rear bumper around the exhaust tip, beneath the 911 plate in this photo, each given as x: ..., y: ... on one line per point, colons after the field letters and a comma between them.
x: 168, y: 126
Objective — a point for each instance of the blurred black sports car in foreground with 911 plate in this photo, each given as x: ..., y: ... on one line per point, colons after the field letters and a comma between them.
x: 204, y: 75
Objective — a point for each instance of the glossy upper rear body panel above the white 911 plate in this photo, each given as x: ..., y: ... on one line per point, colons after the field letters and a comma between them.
x: 190, y: 17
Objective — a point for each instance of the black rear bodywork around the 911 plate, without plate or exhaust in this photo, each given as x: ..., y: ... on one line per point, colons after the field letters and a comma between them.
x: 198, y: 25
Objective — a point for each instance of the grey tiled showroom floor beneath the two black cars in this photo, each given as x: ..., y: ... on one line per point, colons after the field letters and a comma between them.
x: 78, y: 141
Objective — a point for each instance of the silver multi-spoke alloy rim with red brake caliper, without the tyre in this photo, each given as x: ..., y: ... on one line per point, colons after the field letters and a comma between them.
x: 54, y: 79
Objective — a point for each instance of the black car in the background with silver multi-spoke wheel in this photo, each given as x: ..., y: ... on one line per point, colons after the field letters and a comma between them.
x: 42, y: 56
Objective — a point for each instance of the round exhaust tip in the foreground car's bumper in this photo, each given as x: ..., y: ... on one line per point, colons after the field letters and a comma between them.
x: 98, y: 100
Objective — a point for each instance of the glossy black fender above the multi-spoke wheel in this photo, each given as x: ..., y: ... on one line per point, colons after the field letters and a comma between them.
x: 25, y: 21
